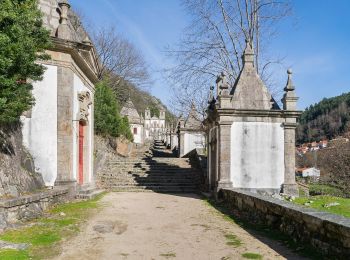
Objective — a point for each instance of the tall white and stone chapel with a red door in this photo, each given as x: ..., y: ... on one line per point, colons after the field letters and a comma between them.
x: 59, y: 129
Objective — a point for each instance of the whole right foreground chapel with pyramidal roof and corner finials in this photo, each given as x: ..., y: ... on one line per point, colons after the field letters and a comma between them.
x: 251, y: 141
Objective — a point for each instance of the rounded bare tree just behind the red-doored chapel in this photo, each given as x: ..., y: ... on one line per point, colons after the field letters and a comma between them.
x: 120, y: 60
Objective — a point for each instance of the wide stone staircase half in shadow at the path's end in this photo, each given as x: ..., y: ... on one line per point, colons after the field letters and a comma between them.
x: 157, y: 170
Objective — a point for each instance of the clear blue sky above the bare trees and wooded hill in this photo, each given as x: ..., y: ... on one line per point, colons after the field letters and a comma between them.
x: 315, y: 41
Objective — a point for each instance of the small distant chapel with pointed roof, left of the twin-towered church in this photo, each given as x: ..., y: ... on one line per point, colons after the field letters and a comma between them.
x: 135, y: 120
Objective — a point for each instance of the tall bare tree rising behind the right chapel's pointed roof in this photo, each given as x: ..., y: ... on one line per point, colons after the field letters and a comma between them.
x: 215, y: 41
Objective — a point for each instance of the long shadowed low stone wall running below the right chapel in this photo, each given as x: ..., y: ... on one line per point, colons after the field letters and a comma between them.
x: 327, y: 232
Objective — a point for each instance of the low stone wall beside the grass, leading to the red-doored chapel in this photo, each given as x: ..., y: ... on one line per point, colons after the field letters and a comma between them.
x: 29, y: 206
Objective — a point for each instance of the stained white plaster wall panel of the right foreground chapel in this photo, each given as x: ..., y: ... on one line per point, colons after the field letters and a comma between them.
x: 257, y: 155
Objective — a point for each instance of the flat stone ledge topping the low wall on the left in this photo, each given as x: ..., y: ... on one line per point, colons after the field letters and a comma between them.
x: 26, y: 199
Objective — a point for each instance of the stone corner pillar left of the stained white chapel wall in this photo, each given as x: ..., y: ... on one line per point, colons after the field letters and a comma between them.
x: 224, y: 146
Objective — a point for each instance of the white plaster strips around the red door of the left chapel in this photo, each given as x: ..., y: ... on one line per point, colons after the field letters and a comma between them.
x: 78, y: 87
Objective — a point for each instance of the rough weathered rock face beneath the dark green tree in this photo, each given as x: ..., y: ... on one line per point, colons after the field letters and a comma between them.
x: 17, y: 170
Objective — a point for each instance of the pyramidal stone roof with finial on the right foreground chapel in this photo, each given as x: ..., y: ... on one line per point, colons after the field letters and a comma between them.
x: 249, y: 91
